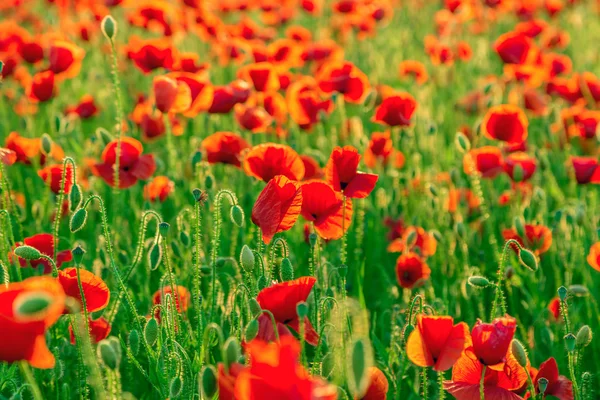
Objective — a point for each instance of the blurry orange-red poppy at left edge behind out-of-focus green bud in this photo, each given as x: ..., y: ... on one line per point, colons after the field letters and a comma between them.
x: 23, y: 329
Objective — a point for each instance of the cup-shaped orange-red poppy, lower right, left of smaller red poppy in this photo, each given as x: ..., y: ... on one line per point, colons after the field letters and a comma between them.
x: 437, y: 342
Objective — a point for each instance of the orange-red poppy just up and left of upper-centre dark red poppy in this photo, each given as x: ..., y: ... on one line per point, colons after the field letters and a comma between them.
x: 344, y: 78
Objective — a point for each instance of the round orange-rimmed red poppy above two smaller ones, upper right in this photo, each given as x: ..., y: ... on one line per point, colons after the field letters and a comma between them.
x: 507, y: 123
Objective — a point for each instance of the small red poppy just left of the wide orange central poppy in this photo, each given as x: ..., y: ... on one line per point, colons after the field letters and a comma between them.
x: 224, y: 147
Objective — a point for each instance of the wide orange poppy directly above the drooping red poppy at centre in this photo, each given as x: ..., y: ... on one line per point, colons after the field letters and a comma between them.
x: 266, y: 160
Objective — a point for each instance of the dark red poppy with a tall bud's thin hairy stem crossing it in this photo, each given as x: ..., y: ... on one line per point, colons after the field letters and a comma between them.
x: 133, y: 165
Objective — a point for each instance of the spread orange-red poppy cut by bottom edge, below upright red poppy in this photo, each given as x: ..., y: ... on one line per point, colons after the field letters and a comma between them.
x: 497, y: 384
